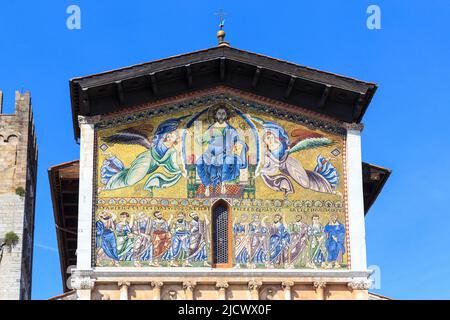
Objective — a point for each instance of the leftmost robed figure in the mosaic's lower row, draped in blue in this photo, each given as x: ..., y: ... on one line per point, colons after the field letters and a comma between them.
x: 105, y: 237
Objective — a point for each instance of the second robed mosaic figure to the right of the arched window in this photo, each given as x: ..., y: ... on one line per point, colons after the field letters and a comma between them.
x: 258, y: 241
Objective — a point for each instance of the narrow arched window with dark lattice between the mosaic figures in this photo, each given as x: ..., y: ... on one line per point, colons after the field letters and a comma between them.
x: 221, y: 230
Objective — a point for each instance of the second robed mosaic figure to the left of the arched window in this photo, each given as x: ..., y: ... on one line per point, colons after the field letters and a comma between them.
x: 179, y: 250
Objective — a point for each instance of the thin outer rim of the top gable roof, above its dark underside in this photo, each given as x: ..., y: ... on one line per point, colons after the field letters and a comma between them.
x: 365, y: 90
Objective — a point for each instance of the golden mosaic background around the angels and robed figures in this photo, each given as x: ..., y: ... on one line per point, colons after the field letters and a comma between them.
x: 266, y: 203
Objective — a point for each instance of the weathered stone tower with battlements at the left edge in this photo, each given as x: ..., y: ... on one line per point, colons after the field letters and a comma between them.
x: 18, y: 162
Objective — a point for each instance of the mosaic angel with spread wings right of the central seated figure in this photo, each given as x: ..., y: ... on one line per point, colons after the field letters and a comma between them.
x: 279, y: 164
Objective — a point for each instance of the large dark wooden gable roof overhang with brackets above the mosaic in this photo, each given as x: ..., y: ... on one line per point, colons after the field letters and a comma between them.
x: 340, y: 97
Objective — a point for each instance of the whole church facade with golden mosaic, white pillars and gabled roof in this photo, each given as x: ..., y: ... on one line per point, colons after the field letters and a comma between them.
x: 217, y: 174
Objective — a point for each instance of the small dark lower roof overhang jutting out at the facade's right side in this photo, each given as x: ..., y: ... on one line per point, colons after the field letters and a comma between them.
x: 374, y: 179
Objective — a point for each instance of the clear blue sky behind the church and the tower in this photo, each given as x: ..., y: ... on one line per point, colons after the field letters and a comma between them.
x: 406, y: 130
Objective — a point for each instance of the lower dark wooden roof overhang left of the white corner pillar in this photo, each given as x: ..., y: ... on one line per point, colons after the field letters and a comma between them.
x: 64, y: 184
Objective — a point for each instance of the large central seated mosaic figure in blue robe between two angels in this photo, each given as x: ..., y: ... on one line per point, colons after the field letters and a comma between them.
x: 219, y: 163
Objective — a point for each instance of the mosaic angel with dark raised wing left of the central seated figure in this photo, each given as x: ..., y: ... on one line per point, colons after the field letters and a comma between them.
x: 160, y: 153
